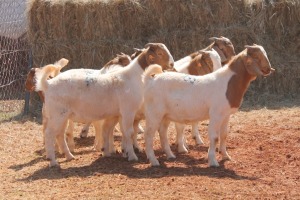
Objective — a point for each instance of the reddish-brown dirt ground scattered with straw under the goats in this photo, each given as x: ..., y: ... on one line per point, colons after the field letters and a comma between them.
x: 264, y: 144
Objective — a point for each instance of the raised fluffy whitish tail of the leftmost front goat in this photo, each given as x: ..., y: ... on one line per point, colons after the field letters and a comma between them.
x: 43, y: 74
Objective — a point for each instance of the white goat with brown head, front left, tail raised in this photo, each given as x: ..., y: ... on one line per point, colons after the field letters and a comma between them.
x: 85, y: 96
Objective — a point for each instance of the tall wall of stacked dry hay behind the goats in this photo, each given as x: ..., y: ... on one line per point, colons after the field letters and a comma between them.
x: 91, y: 32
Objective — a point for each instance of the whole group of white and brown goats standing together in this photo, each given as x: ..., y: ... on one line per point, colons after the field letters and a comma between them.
x: 207, y: 84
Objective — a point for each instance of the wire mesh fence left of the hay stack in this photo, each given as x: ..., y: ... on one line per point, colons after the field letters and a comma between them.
x: 14, y: 58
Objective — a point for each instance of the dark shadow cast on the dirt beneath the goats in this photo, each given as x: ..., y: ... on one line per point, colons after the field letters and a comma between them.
x: 183, y: 165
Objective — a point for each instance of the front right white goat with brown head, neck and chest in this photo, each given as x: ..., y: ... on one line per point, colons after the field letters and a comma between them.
x: 214, y: 96
